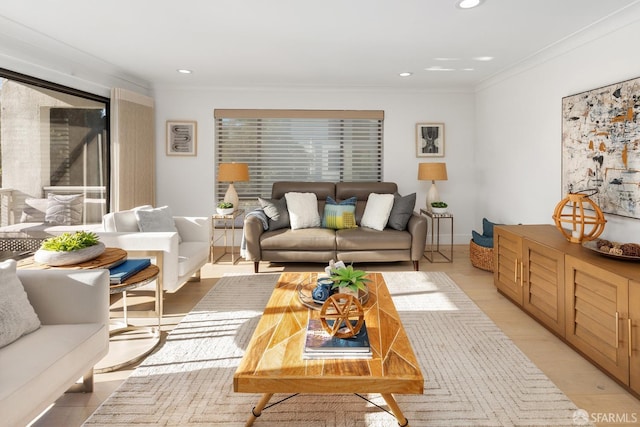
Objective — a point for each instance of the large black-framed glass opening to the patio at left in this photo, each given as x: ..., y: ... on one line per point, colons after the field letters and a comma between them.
x: 53, y: 140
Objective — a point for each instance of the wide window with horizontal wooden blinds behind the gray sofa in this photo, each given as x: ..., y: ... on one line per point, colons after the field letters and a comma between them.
x: 298, y: 145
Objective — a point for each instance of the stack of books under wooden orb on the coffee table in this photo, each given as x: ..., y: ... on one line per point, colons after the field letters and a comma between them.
x: 320, y: 345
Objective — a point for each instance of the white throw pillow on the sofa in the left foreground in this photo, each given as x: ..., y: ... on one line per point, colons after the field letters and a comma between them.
x: 17, y: 317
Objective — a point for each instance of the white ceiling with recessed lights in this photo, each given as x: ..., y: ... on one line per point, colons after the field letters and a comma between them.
x: 297, y: 43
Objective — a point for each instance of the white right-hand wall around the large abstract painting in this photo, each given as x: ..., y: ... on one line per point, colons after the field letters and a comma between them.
x: 519, y: 128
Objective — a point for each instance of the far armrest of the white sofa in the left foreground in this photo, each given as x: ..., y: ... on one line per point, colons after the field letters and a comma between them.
x: 68, y: 296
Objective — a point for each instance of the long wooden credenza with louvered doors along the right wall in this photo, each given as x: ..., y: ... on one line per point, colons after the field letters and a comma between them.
x: 590, y: 301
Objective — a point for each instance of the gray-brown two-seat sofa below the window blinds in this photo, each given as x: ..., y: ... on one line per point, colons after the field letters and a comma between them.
x: 361, y: 244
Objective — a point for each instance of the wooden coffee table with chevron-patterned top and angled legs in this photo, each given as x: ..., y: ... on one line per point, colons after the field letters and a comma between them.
x: 273, y: 360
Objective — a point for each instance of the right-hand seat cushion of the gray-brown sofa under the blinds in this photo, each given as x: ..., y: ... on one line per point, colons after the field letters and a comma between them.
x: 367, y: 239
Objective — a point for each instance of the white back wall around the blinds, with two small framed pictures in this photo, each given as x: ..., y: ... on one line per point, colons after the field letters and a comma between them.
x: 187, y: 183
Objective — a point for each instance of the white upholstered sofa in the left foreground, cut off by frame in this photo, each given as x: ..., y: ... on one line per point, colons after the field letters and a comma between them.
x: 73, y: 308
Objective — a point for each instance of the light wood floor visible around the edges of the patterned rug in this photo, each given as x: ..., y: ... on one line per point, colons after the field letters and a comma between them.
x: 587, y: 386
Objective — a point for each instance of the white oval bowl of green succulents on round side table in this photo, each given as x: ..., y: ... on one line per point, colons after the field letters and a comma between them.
x: 67, y: 249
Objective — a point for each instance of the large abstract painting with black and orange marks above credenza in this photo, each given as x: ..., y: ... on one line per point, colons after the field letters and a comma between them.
x: 601, y: 146
